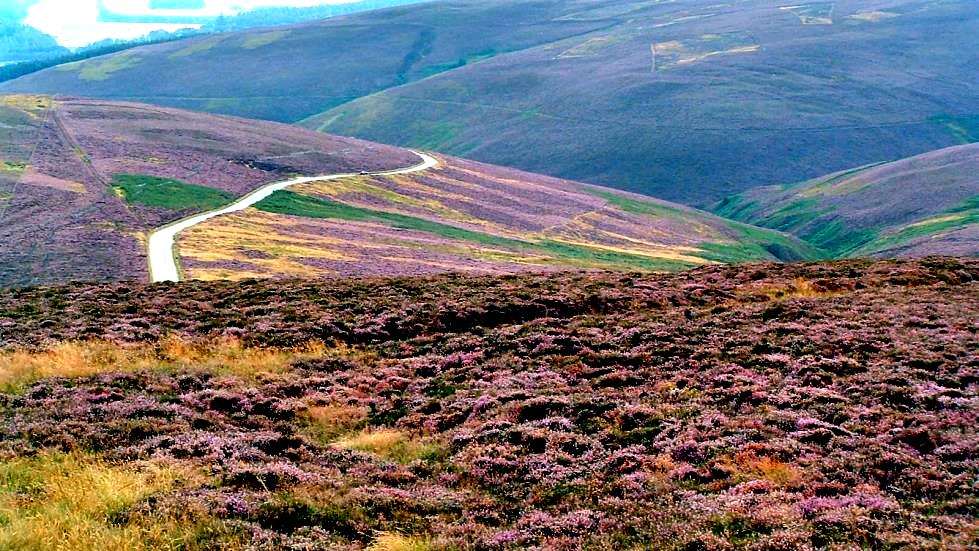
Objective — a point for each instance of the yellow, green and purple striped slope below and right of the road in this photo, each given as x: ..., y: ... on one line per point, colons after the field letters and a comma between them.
x: 465, y: 216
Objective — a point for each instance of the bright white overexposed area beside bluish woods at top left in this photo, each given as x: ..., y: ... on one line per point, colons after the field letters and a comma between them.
x: 74, y: 22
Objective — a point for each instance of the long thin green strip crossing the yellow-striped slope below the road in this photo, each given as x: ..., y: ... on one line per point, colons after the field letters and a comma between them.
x: 287, y: 202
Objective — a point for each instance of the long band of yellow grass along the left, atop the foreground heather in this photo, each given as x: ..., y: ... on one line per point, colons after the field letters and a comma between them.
x: 226, y: 356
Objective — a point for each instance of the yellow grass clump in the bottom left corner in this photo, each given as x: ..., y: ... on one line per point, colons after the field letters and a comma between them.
x: 71, y: 502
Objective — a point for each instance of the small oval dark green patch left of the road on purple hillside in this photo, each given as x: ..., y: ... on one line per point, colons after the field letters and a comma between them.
x: 153, y: 191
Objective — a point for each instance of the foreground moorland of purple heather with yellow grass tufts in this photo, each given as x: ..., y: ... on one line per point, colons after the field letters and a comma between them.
x: 764, y: 407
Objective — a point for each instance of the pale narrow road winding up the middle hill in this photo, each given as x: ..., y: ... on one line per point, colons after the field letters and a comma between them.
x: 161, y: 245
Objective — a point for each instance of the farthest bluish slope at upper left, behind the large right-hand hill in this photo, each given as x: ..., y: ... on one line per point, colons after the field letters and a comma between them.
x: 290, y: 74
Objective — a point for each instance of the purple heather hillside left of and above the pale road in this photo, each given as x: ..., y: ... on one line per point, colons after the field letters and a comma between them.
x: 81, y: 182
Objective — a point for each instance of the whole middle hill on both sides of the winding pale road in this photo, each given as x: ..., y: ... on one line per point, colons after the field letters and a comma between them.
x: 83, y: 181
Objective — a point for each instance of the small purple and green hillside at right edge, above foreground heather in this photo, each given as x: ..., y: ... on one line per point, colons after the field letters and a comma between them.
x: 928, y: 204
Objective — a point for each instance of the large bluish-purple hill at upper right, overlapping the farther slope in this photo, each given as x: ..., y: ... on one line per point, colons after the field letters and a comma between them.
x: 770, y: 100
